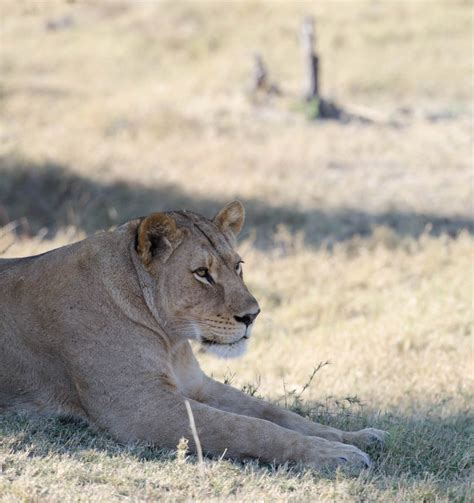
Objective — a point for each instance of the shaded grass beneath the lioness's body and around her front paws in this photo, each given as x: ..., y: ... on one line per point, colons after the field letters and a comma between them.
x: 418, y: 448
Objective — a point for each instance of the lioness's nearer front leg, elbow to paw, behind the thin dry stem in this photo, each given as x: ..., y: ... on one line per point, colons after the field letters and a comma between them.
x: 164, y: 421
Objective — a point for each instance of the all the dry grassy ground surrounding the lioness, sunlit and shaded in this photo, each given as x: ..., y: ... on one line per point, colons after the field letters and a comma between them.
x: 359, y: 242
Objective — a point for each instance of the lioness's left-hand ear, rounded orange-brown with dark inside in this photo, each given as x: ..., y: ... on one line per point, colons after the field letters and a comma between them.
x: 157, y: 236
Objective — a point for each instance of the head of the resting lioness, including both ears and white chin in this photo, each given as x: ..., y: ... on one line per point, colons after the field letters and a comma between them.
x: 196, y: 277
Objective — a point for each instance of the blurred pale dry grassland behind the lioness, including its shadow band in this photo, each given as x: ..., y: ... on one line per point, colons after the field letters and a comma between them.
x: 358, y: 240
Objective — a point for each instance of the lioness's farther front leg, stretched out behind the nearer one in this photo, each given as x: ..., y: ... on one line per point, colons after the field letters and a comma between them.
x: 227, y: 398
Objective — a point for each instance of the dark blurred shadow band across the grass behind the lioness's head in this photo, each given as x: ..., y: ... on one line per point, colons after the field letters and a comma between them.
x: 48, y: 197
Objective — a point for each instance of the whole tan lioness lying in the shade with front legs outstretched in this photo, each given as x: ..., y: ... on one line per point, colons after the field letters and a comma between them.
x: 100, y: 329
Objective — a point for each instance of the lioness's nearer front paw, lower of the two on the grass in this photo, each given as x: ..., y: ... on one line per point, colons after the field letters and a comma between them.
x: 326, y: 454
